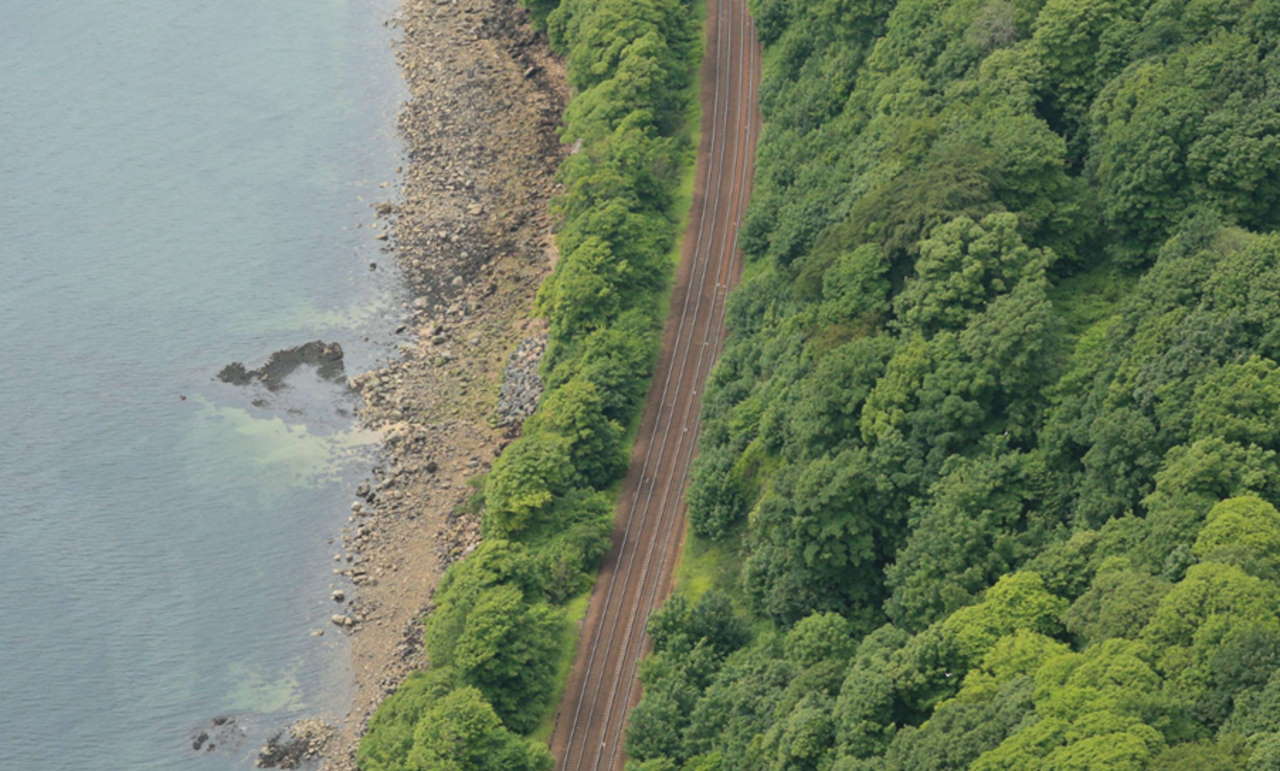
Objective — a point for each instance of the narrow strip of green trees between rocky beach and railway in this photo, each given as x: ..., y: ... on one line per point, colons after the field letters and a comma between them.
x: 500, y: 624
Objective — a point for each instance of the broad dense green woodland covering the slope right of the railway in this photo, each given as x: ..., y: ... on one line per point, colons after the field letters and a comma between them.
x: 990, y: 458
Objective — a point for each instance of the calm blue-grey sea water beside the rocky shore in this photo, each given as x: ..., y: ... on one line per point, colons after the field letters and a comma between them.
x: 182, y: 185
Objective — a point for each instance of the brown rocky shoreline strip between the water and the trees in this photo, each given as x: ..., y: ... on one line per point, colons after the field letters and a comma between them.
x: 473, y: 239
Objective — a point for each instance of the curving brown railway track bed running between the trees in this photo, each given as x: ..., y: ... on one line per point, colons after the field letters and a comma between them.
x: 637, y: 574
